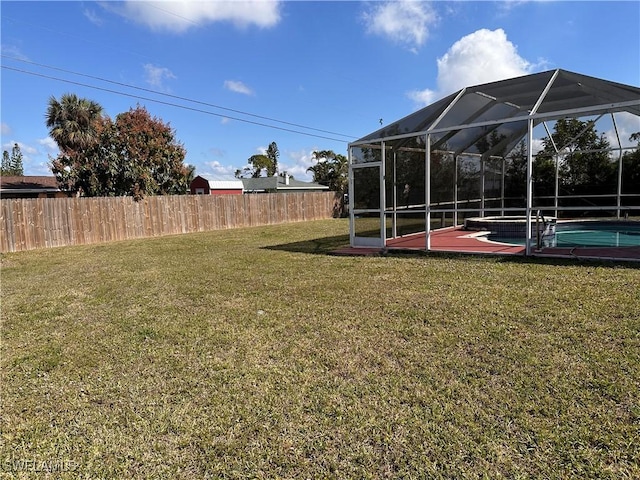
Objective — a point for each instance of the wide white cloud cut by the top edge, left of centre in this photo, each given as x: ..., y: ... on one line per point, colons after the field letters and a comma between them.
x: 179, y: 16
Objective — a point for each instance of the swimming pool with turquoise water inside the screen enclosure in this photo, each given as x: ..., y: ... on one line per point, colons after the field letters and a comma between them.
x: 591, y: 233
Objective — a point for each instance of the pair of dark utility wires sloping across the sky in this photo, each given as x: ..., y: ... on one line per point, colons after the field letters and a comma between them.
x: 198, y: 102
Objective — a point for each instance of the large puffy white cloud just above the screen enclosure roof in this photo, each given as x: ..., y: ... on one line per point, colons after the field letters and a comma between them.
x: 480, y: 57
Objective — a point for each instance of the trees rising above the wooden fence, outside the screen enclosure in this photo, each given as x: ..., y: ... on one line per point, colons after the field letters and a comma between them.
x: 137, y: 154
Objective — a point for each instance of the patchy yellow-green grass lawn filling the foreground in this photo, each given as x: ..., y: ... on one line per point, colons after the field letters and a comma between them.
x: 252, y: 353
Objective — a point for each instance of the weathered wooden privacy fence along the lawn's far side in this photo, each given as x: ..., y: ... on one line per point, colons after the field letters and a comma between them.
x: 33, y: 223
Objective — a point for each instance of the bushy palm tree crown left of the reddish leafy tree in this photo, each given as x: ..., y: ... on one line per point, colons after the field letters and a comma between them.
x: 72, y: 121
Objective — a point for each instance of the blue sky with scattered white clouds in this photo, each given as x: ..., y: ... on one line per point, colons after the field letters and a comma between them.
x: 232, y: 77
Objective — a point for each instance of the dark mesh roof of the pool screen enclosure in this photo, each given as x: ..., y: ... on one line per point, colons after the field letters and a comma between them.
x: 502, y: 109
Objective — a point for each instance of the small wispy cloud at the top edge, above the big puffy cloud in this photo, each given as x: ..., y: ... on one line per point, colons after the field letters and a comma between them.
x: 406, y: 22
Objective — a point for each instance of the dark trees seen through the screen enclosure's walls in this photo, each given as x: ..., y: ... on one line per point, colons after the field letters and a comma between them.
x: 587, y: 166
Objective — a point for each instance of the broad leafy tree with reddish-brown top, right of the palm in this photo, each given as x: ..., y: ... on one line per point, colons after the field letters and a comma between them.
x: 134, y: 155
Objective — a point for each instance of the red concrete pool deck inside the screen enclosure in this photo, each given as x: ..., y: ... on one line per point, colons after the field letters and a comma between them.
x: 457, y: 240
